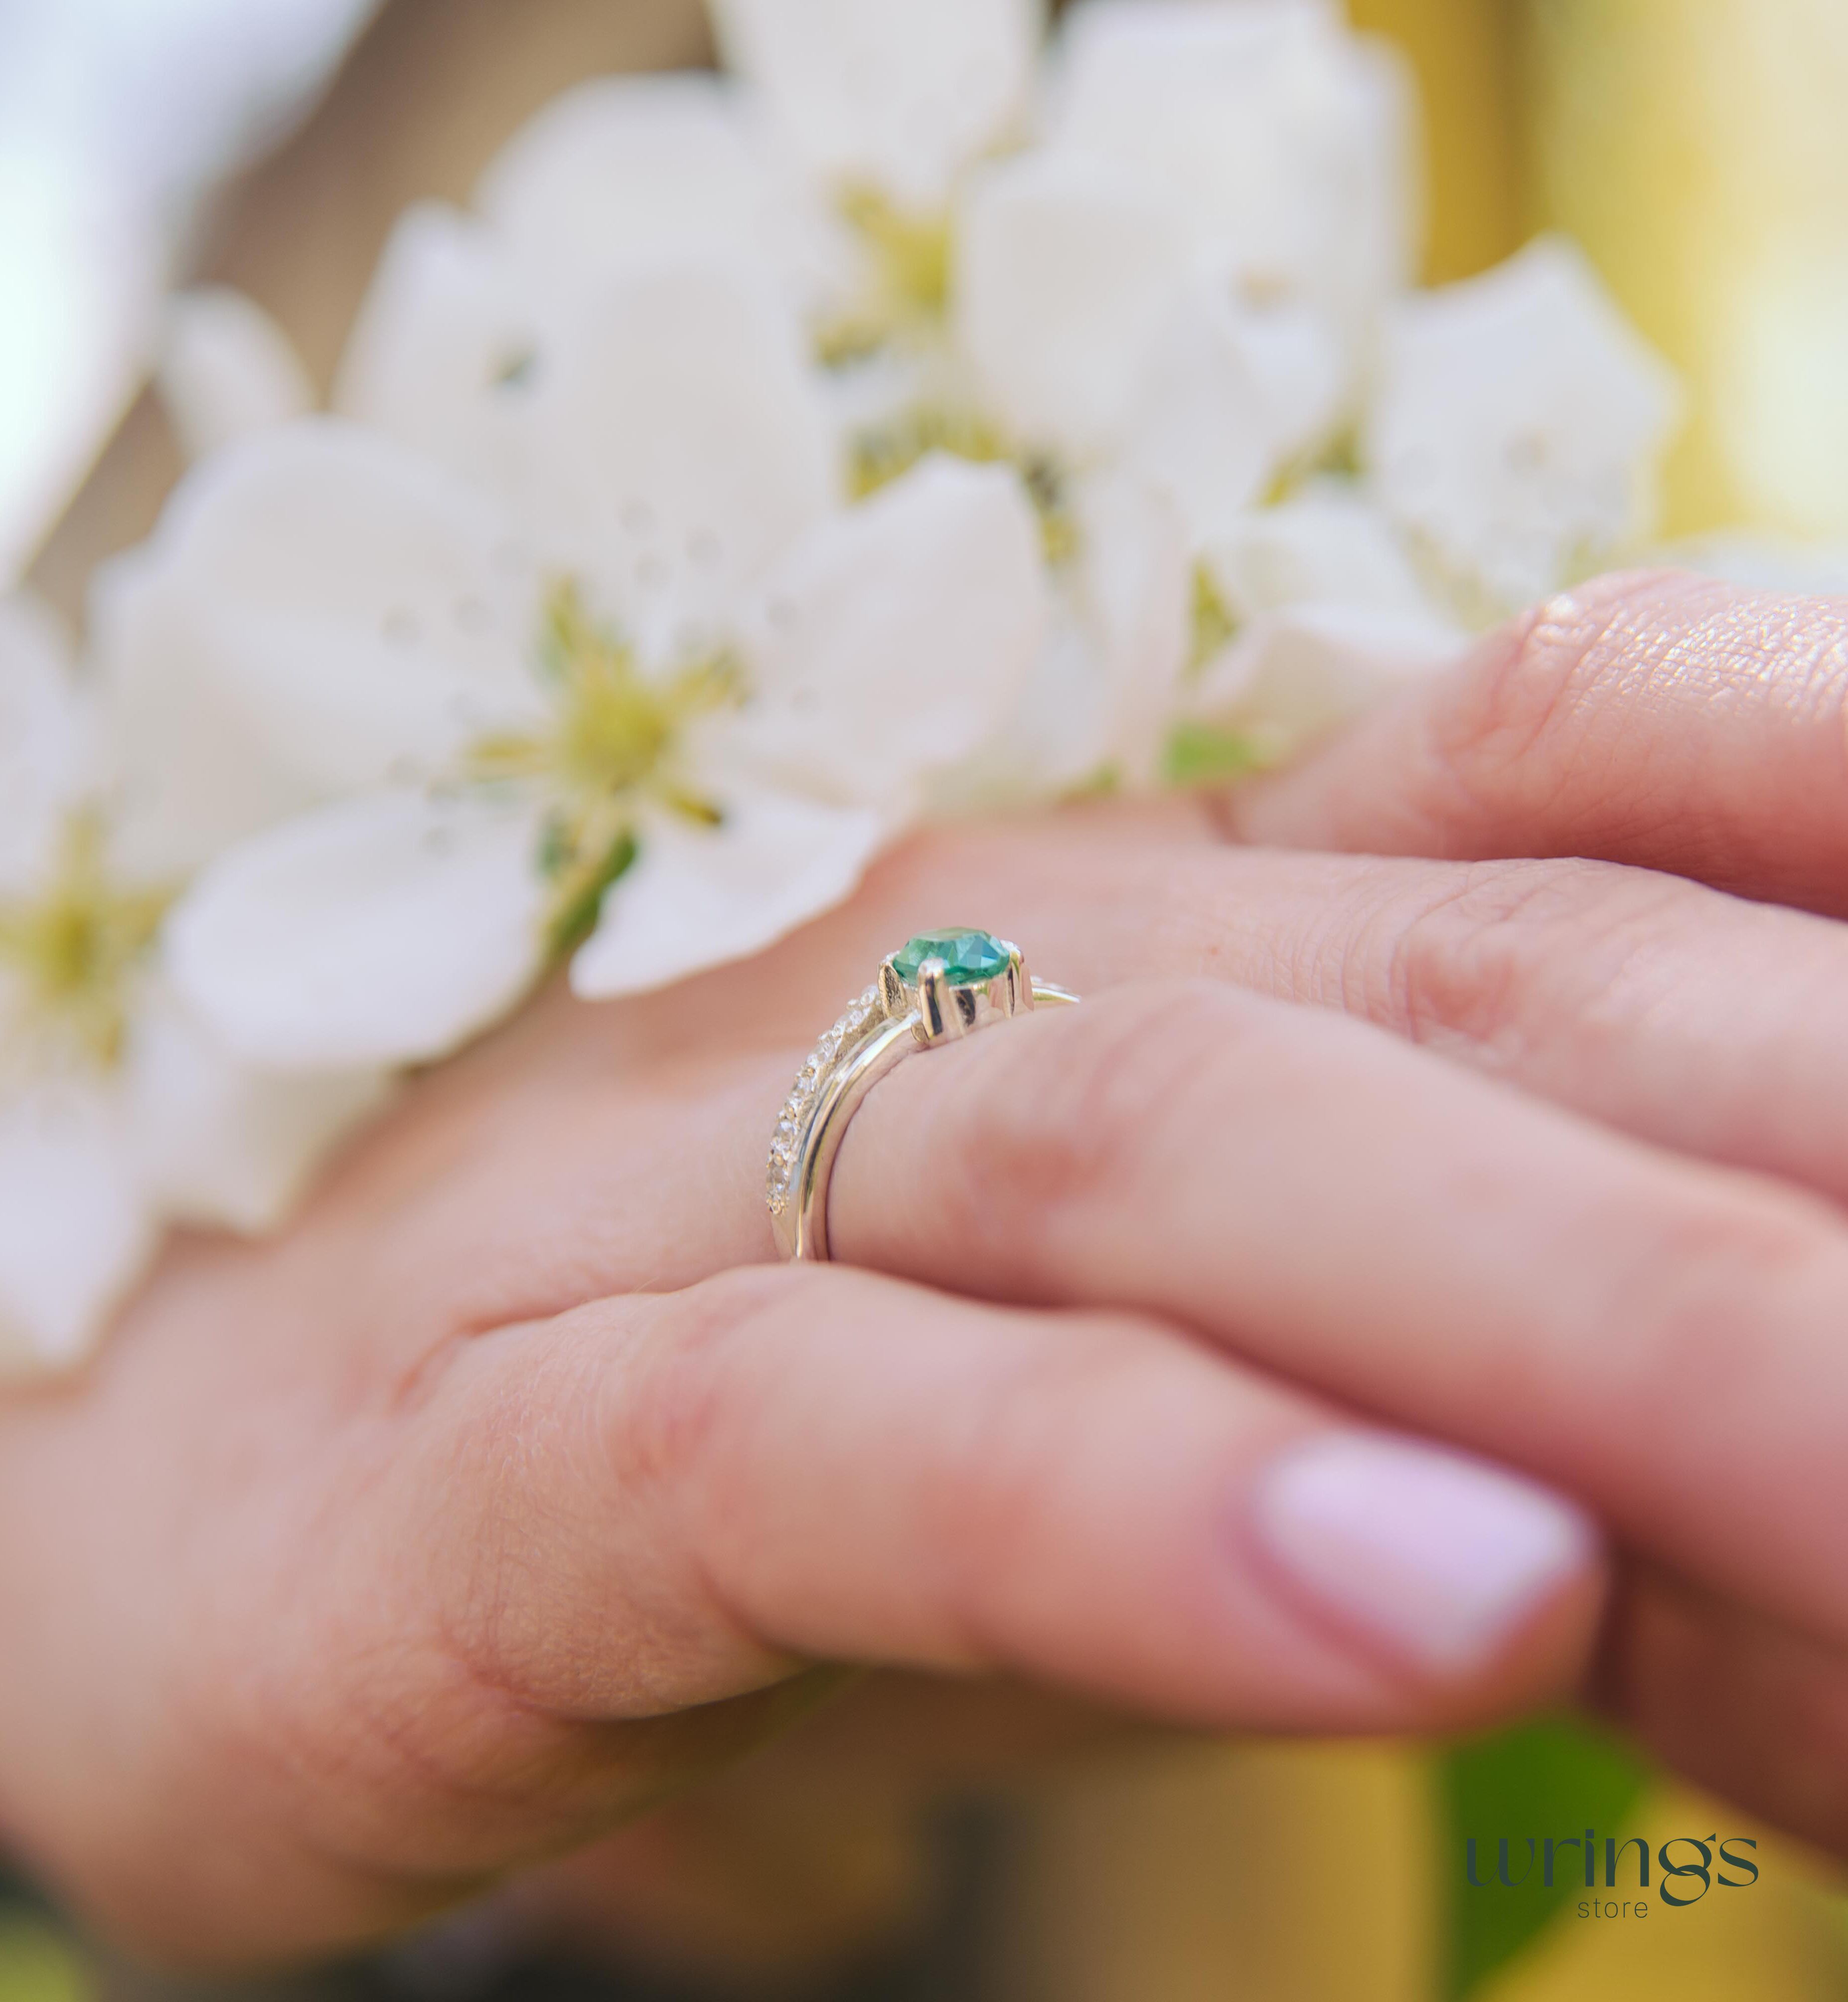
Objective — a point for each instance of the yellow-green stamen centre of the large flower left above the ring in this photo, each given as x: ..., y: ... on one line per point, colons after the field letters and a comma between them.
x: 612, y: 748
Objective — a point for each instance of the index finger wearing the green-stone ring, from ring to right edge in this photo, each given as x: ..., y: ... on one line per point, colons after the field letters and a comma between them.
x: 1657, y: 1336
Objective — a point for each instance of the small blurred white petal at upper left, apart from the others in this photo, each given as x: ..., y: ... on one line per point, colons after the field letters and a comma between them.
x: 227, y: 369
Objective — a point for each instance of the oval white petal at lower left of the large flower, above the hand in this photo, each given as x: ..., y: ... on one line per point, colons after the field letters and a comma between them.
x: 377, y: 932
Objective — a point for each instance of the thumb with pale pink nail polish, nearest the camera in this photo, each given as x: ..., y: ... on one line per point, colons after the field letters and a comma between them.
x: 814, y: 1464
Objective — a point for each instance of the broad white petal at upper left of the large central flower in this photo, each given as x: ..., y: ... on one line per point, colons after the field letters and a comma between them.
x: 319, y: 612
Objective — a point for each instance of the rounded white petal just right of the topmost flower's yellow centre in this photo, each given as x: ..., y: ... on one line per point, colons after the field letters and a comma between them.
x: 1066, y: 279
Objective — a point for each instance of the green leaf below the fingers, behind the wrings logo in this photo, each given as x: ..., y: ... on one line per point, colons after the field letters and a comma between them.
x: 1541, y: 1781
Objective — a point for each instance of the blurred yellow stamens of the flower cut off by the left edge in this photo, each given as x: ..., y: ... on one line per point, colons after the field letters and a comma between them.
x: 75, y: 952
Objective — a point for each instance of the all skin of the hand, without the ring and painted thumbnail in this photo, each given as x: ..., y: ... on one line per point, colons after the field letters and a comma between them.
x: 518, y: 1490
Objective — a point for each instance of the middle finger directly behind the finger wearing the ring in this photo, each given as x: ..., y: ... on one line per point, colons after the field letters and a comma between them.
x: 1685, y: 1016
